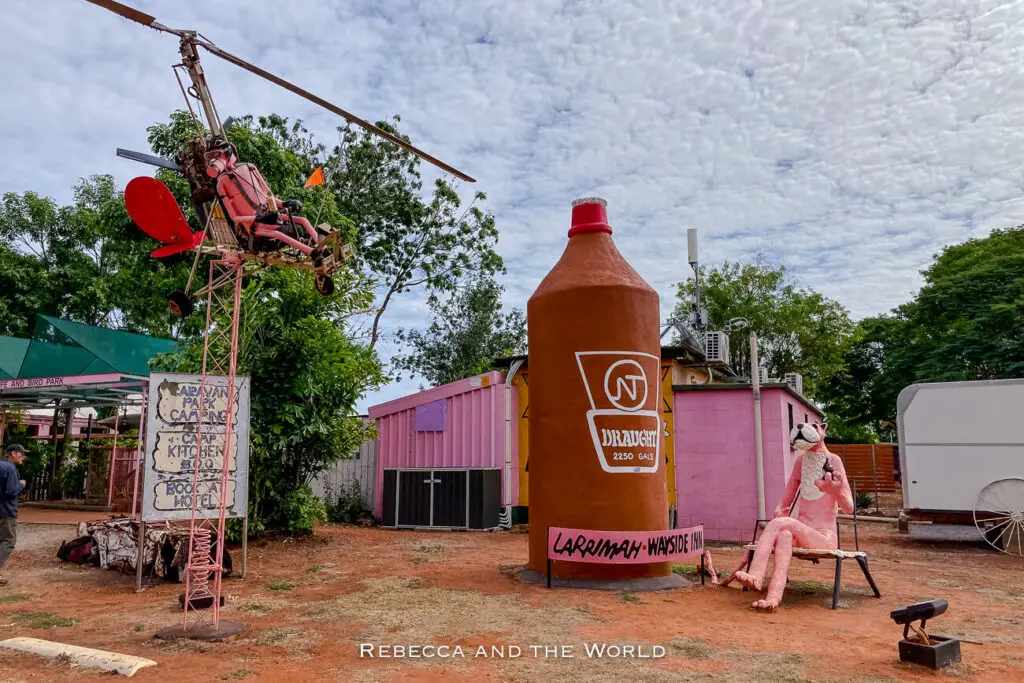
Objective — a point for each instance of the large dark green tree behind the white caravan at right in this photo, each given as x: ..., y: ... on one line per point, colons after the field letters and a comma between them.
x: 967, y: 323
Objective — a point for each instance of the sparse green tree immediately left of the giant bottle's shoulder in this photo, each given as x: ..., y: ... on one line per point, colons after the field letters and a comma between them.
x: 467, y: 331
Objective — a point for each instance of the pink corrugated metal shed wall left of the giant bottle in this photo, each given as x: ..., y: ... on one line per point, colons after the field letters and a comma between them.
x: 474, y: 435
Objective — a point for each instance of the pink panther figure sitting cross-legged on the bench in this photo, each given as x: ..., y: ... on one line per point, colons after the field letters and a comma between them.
x: 819, y: 482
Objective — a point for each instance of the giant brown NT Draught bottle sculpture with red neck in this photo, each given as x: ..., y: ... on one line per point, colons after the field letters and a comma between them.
x: 596, y: 449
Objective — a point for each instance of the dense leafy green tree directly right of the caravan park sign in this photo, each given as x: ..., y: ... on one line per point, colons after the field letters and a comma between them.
x: 308, y: 375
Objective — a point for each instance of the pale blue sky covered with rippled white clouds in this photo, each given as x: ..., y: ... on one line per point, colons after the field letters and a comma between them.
x: 850, y: 141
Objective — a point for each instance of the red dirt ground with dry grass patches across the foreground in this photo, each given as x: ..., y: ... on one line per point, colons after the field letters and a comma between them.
x: 308, y: 605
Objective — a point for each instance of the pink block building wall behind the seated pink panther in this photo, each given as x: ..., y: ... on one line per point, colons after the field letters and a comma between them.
x: 716, y: 473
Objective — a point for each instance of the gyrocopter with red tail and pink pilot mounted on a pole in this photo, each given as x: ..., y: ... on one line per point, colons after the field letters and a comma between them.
x: 242, y: 219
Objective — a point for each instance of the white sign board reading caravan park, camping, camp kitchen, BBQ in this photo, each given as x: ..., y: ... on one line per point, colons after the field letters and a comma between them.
x: 174, y: 439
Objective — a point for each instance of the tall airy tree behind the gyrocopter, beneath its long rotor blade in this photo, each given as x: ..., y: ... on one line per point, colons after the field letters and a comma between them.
x: 403, y: 239
